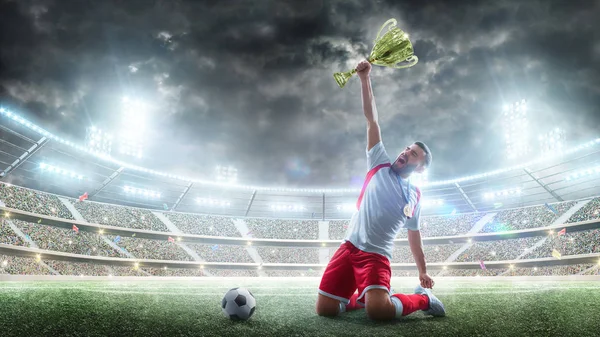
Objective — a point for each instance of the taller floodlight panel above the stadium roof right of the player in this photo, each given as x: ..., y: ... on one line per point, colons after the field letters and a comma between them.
x: 516, y: 129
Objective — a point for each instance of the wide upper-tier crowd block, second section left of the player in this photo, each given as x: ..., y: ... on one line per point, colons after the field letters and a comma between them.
x: 283, y: 229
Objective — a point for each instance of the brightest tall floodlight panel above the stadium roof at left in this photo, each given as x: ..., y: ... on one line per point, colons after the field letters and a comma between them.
x: 133, y: 127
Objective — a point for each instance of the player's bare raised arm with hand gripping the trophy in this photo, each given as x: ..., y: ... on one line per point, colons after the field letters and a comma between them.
x: 369, y: 109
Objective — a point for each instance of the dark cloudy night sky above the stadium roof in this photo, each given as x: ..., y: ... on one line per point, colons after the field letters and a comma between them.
x: 249, y: 83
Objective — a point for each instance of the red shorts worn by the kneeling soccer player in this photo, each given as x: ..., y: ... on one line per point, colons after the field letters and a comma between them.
x: 350, y: 269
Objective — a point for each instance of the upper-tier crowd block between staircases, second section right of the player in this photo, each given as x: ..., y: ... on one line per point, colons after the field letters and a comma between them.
x: 528, y: 217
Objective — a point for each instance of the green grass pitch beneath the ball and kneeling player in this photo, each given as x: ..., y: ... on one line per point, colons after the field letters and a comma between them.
x: 285, y: 307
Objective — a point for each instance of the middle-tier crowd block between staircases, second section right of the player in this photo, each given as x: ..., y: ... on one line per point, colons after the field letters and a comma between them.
x: 497, y: 250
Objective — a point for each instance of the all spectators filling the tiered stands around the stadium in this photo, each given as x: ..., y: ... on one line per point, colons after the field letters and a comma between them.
x: 87, y: 243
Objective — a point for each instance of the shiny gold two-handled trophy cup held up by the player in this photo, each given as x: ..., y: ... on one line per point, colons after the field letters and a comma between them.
x: 393, y: 50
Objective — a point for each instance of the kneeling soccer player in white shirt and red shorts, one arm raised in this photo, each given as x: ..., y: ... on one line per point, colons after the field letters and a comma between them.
x: 387, y: 203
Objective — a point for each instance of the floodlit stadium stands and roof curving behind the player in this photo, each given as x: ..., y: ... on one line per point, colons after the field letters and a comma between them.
x: 504, y: 227
